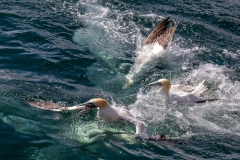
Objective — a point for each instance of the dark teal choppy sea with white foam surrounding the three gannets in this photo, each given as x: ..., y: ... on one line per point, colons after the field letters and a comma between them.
x: 69, y: 51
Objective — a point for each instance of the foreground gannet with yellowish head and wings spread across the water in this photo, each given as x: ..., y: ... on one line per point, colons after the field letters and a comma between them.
x: 105, y: 112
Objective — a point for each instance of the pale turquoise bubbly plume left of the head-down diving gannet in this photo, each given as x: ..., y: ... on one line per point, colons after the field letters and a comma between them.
x: 109, y: 40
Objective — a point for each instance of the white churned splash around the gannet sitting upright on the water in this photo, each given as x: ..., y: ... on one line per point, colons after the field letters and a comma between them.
x: 187, y: 119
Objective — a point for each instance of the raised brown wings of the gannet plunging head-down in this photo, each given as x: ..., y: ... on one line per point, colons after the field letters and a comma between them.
x: 161, y: 34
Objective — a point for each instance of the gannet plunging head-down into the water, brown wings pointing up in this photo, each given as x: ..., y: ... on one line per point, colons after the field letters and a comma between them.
x: 153, y: 49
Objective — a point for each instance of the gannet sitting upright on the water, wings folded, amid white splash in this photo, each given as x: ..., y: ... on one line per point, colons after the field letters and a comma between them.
x: 181, y: 93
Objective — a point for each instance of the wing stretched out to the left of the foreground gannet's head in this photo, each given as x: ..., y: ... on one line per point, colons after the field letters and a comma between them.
x: 53, y: 106
